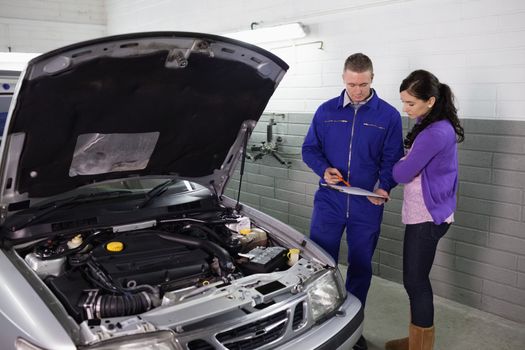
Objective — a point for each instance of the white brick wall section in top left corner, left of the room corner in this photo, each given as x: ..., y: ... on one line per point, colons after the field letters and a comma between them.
x: 40, y: 26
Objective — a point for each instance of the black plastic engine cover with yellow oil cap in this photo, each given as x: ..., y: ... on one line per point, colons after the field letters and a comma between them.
x: 145, y: 258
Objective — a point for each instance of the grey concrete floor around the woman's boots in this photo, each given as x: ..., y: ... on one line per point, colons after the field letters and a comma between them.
x: 458, y: 327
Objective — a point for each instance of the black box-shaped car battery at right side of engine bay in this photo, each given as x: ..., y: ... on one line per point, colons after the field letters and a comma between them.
x: 265, y: 259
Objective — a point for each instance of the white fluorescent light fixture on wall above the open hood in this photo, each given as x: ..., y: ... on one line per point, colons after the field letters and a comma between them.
x: 270, y: 34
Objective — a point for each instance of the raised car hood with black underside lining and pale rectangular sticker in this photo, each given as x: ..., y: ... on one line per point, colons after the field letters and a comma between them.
x: 161, y: 103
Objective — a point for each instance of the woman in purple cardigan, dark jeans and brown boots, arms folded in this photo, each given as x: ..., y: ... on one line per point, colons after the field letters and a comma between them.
x: 430, y: 174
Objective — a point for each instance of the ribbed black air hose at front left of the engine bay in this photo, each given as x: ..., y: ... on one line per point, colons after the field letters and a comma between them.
x: 122, y: 305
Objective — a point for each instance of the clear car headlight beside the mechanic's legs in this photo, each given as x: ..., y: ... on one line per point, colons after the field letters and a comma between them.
x: 325, y: 296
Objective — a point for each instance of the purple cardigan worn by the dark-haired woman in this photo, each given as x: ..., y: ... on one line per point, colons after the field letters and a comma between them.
x: 434, y: 155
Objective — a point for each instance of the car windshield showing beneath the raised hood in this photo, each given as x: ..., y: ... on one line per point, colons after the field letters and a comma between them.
x: 106, y: 203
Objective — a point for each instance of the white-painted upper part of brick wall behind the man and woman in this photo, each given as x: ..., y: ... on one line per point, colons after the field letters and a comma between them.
x: 477, y: 46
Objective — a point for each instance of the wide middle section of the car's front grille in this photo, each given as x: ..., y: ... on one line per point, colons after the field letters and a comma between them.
x: 255, y: 334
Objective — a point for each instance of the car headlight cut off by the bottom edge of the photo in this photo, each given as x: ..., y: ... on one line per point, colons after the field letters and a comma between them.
x: 163, y: 340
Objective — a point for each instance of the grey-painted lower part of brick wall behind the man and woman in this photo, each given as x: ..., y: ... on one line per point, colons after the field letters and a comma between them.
x: 480, y: 261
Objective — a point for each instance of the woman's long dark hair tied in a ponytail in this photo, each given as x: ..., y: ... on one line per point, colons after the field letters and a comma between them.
x: 423, y: 85
